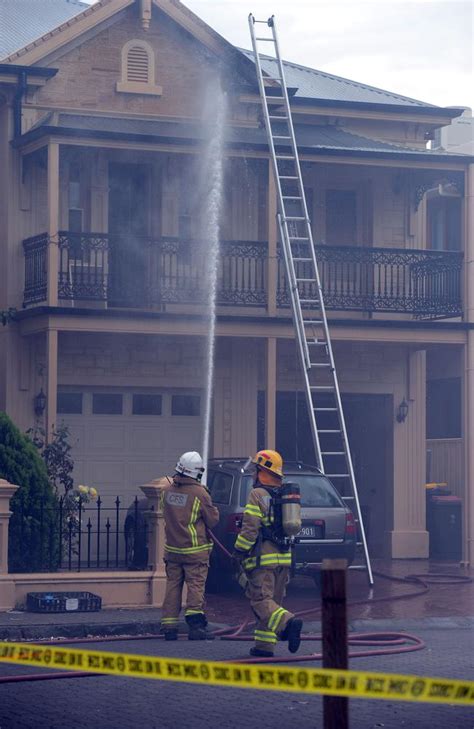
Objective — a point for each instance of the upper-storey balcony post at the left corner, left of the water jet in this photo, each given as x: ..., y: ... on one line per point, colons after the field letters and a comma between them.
x: 53, y: 222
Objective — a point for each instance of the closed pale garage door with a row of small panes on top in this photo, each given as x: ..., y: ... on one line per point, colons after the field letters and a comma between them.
x: 123, y: 438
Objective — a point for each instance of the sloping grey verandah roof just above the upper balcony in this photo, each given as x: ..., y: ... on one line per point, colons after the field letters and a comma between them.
x: 329, y: 139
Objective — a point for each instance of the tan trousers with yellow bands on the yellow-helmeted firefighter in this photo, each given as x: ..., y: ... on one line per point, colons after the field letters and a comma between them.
x: 266, y: 590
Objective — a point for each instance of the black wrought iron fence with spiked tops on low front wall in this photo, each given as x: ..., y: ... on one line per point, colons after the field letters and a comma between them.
x: 93, y: 535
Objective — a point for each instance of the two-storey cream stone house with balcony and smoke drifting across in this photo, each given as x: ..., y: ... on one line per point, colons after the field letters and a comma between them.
x: 101, y: 142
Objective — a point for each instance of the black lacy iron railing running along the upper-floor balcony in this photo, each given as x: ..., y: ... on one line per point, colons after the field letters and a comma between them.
x: 148, y: 273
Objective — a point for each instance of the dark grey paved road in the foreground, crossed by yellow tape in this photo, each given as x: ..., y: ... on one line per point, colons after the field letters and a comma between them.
x: 106, y: 702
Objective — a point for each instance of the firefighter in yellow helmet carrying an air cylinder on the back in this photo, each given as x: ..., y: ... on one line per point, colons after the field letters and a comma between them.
x: 266, y: 562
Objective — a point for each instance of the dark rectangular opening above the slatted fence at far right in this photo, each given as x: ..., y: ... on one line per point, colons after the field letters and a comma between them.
x: 443, y: 408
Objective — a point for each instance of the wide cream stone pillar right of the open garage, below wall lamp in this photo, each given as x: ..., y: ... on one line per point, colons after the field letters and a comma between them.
x: 409, y: 537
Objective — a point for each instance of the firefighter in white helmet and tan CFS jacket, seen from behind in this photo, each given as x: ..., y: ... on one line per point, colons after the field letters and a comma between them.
x: 188, y: 513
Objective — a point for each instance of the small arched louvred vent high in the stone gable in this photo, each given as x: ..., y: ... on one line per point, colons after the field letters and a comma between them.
x: 138, y: 69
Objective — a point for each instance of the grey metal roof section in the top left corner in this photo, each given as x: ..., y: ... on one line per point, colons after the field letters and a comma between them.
x: 24, y: 21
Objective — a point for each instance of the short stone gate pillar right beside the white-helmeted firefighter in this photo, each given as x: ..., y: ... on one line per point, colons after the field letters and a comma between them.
x: 156, y: 540
